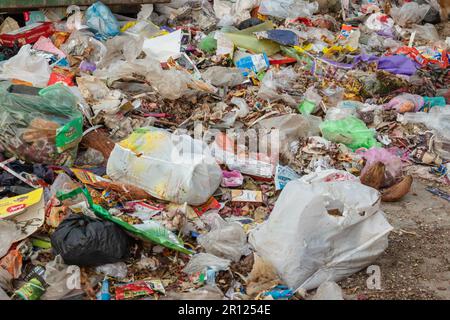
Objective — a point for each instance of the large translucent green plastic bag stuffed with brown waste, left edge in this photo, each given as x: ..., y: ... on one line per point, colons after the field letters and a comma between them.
x: 40, y: 128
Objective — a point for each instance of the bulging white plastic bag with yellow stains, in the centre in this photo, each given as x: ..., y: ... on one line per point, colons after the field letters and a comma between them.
x: 170, y: 167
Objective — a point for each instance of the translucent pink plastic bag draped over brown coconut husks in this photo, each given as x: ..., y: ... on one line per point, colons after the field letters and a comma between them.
x: 392, y: 163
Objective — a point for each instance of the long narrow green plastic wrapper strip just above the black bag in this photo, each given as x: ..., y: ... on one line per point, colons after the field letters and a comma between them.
x: 153, y: 232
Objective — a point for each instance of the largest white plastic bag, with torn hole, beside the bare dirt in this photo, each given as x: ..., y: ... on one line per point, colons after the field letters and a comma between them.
x: 322, y: 232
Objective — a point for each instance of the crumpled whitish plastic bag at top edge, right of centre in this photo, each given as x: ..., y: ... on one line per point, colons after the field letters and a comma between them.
x: 290, y: 9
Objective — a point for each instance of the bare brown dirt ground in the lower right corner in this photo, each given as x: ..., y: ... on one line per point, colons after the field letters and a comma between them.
x: 416, y: 264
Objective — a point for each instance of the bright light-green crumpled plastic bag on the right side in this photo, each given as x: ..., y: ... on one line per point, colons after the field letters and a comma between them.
x: 350, y: 131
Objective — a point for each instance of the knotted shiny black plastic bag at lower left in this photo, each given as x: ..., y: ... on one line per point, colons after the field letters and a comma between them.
x: 84, y: 241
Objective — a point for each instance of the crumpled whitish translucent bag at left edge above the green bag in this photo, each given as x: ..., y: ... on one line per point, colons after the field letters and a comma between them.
x: 27, y: 67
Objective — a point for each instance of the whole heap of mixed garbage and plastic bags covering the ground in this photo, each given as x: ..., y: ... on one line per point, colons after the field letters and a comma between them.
x: 213, y: 149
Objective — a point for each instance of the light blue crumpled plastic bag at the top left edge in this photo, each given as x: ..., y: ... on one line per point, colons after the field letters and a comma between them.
x: 100, y: 18
